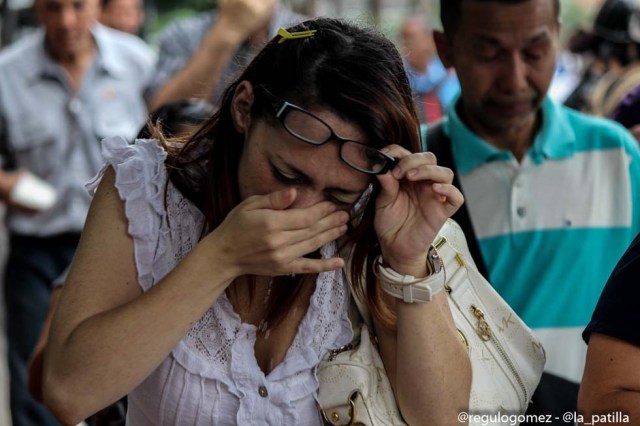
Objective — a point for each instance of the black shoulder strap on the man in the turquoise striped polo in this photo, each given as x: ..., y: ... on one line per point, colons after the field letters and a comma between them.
x: 437, y: 142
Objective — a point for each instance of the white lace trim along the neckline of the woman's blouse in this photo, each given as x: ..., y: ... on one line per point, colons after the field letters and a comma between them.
x: 208, y: 346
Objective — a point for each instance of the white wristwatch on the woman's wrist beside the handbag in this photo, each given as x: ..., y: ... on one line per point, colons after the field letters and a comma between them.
x: 409, y: 288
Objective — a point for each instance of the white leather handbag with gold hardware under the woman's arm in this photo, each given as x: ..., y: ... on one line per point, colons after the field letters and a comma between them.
x: 507, y: 360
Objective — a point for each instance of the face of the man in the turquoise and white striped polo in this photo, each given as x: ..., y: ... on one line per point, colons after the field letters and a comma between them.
x: 504, y: 56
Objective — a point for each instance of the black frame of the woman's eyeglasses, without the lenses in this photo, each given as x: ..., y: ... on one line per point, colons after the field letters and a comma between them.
x: 282, y: 108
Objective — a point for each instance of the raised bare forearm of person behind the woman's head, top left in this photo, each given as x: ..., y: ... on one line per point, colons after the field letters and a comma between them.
x: 237, y: 21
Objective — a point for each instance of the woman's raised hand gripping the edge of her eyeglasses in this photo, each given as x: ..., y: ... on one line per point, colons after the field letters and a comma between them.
x: 415, y: 200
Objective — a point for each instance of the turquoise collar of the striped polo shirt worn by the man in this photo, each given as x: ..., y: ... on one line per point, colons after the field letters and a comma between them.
x: 555, y: 140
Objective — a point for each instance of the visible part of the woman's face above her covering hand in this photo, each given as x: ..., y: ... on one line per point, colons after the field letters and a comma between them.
x: 273, y: 159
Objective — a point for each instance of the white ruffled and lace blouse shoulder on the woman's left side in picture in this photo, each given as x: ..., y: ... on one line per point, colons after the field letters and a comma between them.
x: 152, y: 206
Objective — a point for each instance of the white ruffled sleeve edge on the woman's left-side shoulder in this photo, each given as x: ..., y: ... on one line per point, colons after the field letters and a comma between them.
x: 140, y: 178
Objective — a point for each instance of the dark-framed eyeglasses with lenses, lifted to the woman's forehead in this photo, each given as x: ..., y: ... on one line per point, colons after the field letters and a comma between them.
x: 305, y: 126
